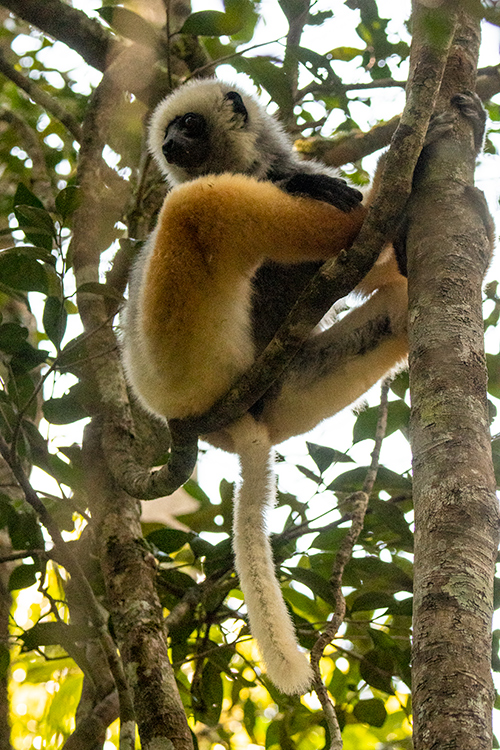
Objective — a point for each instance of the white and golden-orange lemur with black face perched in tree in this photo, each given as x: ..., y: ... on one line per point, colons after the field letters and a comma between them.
x: 245, y: 226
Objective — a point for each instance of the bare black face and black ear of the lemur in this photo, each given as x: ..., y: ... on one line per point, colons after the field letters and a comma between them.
x: 187, y: 140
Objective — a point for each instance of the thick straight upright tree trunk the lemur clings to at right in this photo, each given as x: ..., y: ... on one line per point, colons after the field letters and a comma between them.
x: 456, y: 511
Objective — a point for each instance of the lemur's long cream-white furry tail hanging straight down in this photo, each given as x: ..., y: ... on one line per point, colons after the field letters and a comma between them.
x: 270, y: 622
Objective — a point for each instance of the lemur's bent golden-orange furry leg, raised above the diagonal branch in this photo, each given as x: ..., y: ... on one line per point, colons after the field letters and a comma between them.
x: 198, y: 278
